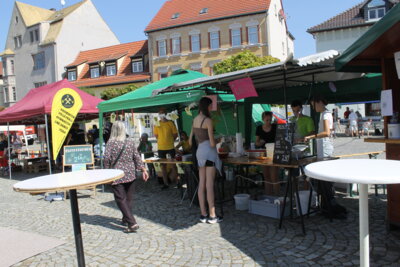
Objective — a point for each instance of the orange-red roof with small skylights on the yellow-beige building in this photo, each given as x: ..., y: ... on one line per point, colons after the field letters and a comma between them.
x: 189, y: 11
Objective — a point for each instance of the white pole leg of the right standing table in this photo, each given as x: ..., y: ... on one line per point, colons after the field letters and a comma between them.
x: 364, y: 224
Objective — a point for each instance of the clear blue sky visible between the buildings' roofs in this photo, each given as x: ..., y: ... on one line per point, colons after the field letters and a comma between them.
x: 128, y: 18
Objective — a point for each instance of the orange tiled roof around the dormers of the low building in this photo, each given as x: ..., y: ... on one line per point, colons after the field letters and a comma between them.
x: 124, y: 72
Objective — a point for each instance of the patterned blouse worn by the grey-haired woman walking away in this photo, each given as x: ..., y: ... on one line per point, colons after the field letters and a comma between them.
x: 129, y: 161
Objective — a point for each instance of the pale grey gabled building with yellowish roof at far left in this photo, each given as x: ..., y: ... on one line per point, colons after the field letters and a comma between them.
x: 41, y: 42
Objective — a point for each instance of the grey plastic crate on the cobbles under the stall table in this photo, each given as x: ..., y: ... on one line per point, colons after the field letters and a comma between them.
x: 268, y: 209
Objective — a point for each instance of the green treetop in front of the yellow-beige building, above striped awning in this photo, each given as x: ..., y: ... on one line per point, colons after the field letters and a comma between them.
x: 241, y: 61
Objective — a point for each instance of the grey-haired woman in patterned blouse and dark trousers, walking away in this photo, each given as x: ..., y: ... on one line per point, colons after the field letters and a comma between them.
x: 121, y: 153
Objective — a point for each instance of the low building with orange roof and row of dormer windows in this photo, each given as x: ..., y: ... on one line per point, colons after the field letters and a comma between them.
x: 116, y: 66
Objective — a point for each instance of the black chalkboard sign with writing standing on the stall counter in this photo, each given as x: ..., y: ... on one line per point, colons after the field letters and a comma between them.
x: 283, y: 143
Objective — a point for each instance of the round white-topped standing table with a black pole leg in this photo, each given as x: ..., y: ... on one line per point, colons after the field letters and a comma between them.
x: 71, y: 181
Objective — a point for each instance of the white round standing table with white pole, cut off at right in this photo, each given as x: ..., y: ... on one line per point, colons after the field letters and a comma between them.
x: 363, y: 172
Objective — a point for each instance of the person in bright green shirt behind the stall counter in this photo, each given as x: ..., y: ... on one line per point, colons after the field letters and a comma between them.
x: 304, y: 124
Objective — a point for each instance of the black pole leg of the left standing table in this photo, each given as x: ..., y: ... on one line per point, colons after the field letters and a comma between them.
x: 77, y: 227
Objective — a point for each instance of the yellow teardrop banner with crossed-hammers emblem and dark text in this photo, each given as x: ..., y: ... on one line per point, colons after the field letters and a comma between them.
x: 66, y: 105
